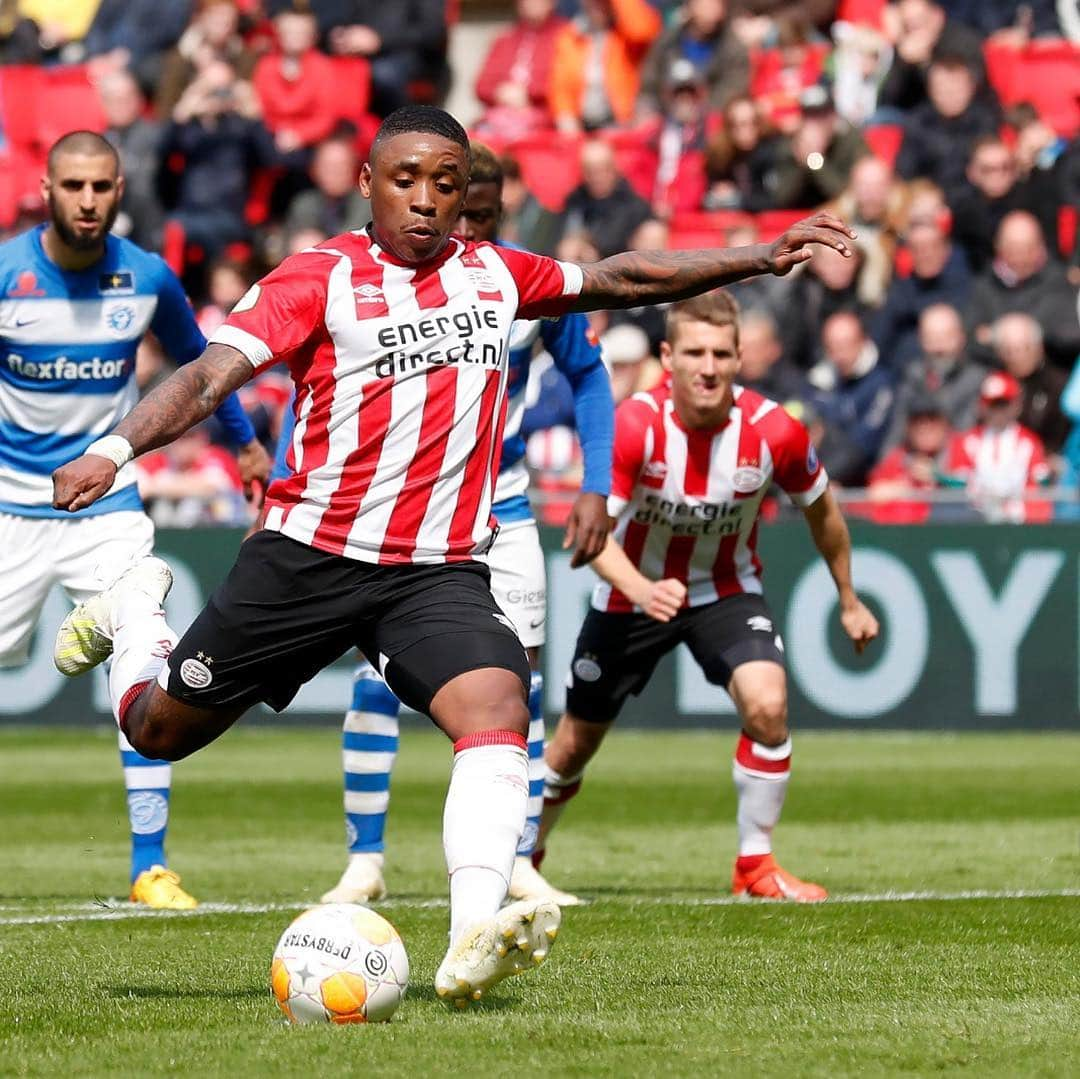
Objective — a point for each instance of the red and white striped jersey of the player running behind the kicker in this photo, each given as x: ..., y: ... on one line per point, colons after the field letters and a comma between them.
x: 687, y: 502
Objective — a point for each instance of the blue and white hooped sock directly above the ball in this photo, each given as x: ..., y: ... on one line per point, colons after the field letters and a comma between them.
x: 369, y: 748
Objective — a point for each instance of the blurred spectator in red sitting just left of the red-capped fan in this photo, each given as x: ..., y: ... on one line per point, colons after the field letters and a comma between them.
x: 913, y: 465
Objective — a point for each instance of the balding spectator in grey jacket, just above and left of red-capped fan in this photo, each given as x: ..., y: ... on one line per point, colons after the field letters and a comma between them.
x: 944, y: 373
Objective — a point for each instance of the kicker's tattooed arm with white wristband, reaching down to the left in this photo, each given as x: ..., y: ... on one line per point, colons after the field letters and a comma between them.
x: 185, y: 399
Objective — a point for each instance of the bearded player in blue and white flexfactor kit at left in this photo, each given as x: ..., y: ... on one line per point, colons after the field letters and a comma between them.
x: 75, y: 303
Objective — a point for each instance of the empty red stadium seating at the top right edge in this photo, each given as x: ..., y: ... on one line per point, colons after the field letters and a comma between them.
x: 1046, y: 73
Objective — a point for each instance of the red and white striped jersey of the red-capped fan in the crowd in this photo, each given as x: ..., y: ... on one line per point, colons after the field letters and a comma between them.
x: 1000, y: 467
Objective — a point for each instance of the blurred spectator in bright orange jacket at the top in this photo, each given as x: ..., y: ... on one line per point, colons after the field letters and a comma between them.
x: 596, y: 76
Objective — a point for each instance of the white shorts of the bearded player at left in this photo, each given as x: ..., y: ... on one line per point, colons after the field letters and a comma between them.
x: 82, y: 555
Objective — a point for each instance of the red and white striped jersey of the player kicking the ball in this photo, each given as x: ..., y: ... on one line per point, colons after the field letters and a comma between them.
x: 401, y: 377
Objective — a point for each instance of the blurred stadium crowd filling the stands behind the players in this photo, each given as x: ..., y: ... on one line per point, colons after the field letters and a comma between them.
x: 943, y: 357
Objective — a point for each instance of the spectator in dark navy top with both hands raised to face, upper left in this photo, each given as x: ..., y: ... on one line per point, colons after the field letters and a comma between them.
x: 218, y: 137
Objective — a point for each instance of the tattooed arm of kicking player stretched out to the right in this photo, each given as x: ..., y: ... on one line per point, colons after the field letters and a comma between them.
x: 638, y: 278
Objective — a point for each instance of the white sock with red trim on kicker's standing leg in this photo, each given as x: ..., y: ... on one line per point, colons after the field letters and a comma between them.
x: 483, y: 821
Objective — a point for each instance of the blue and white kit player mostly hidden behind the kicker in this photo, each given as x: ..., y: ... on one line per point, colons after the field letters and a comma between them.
x: 516, y: 561
